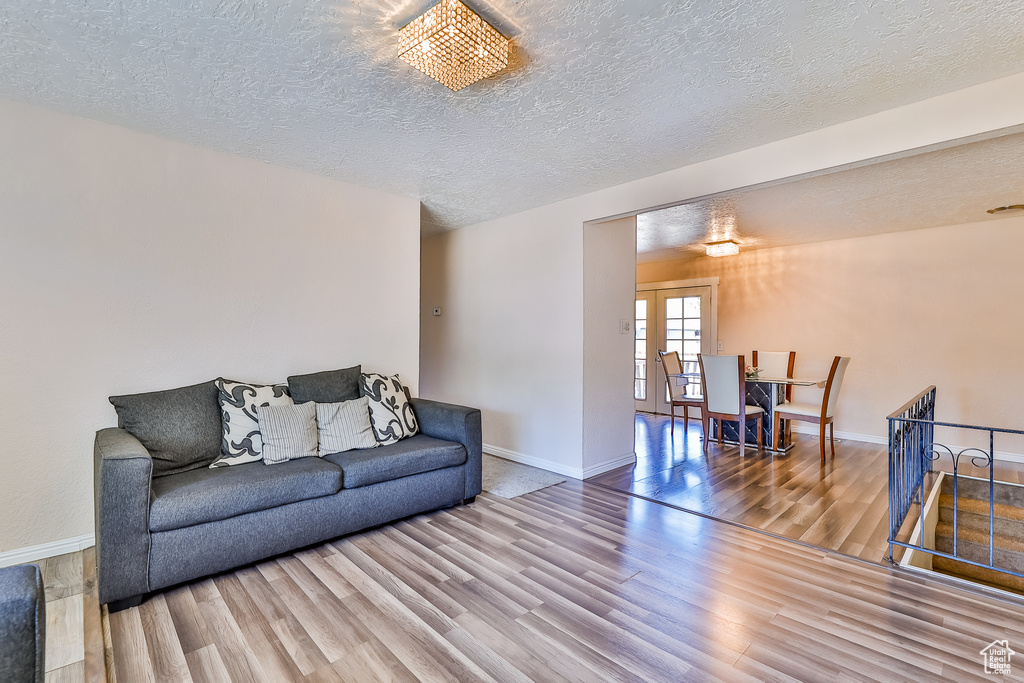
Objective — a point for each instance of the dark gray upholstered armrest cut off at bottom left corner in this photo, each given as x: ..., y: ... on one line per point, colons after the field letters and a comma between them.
x: 23, y: 624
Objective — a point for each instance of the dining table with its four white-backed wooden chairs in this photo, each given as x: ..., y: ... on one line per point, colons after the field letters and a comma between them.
x: 730, y: 394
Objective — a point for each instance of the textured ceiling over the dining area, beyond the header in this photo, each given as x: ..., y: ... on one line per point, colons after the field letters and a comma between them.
x: 947, y: 188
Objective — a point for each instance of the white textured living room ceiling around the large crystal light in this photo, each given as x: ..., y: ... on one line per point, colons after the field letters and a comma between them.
x: 599, y: 93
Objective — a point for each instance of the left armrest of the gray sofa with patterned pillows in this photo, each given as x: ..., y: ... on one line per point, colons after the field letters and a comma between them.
x: 123, y: 472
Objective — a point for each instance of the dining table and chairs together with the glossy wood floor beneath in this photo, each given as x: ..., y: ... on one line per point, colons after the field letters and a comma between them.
x: 749, y: 439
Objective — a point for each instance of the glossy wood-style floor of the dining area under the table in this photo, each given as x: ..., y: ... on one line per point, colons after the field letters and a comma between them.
x: 841, y: 505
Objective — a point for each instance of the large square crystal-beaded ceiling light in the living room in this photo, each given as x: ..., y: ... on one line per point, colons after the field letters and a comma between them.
x: 453, y: 46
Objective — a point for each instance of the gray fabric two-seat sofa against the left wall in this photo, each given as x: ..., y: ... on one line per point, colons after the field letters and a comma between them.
x: 156, y: 530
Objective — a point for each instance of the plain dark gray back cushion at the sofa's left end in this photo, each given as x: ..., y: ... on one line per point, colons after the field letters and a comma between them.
x: 181, y: 428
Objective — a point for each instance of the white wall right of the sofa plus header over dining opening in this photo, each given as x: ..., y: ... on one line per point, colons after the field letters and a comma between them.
x: 513, y: 288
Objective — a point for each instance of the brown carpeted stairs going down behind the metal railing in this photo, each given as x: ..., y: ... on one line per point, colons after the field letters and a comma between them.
x: 973, y: 528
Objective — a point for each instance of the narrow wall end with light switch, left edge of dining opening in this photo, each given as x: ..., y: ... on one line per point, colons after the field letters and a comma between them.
x: 610, y: 286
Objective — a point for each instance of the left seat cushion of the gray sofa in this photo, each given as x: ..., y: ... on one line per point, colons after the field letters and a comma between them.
x: 209, y: 495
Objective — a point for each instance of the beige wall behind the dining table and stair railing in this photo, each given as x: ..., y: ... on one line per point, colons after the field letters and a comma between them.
x: 937, y: 307
